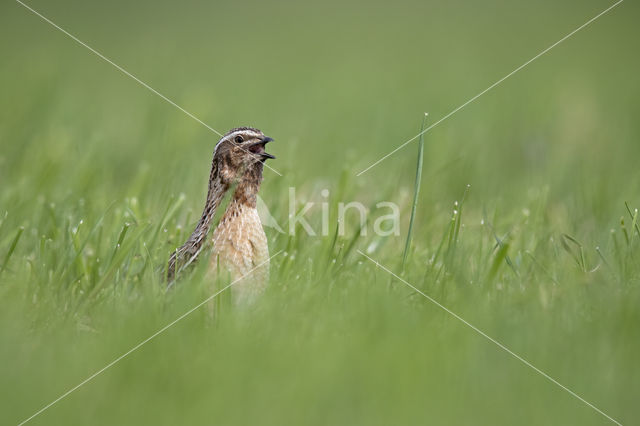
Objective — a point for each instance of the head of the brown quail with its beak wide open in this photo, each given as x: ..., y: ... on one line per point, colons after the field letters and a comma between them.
x: 241, y: 153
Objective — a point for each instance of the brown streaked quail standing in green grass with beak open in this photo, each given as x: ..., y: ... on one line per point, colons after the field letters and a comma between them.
x: 239, y: 244
